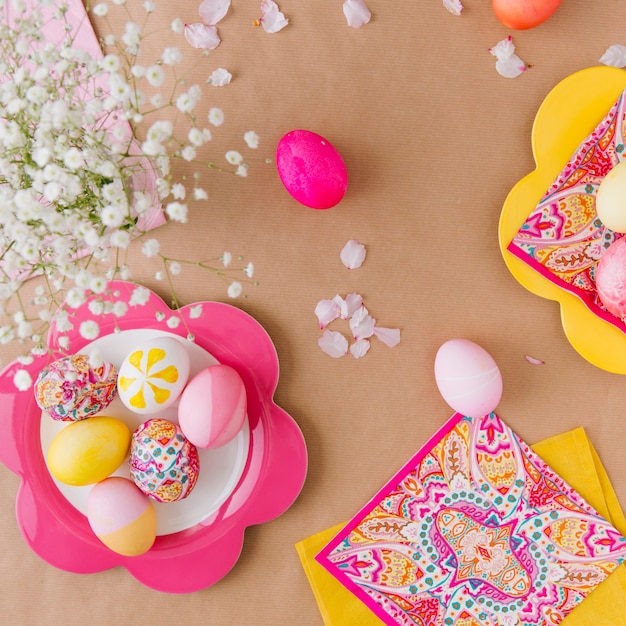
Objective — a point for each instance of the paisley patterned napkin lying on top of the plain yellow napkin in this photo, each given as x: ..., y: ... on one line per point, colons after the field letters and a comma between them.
x: 476, y: 530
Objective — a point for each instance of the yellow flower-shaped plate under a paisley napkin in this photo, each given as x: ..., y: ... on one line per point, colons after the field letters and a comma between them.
x: 569, y: 113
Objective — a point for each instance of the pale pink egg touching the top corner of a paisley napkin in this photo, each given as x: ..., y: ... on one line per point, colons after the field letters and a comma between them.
x: 468, y: 378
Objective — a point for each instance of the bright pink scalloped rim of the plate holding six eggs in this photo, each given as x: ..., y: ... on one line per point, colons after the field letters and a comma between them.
x: 200, y: 556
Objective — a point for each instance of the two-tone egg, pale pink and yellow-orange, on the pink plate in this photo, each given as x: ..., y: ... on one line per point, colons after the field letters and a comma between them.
x: 121, y: 516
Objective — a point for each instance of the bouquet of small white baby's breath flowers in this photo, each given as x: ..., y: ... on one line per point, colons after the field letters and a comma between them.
x: 83, y: 169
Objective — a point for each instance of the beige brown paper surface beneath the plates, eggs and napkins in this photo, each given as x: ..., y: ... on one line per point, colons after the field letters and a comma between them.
x: 433, y: 140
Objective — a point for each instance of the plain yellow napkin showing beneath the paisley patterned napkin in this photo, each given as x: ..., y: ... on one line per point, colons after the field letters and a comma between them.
x: 572, y: 456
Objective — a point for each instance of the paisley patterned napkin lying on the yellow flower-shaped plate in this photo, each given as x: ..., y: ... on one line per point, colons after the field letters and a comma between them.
x: 562, y: 238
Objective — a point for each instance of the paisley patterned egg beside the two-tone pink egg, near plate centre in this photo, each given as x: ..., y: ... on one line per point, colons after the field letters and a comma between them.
x: 164, y: 464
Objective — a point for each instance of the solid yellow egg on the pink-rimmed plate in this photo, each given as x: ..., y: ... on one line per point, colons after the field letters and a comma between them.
x: 87, y: 451
